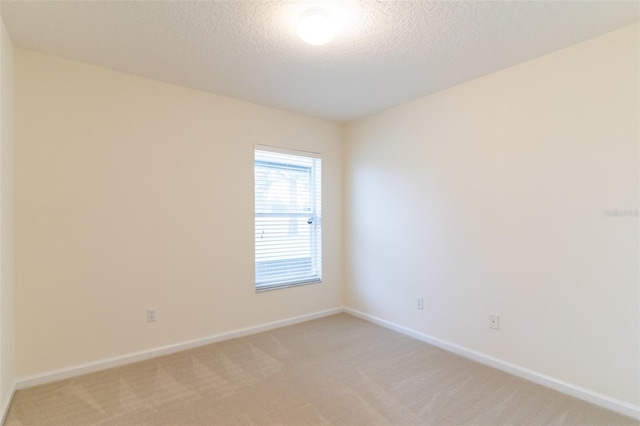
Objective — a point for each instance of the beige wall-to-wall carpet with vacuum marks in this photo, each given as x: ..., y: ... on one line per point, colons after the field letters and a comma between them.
x: 337, y: 370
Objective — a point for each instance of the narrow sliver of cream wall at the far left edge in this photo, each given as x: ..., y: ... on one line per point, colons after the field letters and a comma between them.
x: 6, y: 217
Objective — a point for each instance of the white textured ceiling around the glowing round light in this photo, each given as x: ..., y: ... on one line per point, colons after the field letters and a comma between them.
x: 385, y: 53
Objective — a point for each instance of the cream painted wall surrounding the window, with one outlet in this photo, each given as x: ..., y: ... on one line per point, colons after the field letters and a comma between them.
x: 131, y: 193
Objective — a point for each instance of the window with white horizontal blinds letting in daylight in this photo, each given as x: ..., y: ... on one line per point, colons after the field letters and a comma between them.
x: 288, y: 226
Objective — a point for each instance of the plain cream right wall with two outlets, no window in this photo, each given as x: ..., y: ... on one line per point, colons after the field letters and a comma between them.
x: 498, y: 197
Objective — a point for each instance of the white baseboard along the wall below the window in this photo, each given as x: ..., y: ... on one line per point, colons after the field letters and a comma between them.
x: 103, y: 364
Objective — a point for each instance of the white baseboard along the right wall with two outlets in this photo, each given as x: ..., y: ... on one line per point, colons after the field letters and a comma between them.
x: 595, y: 398
